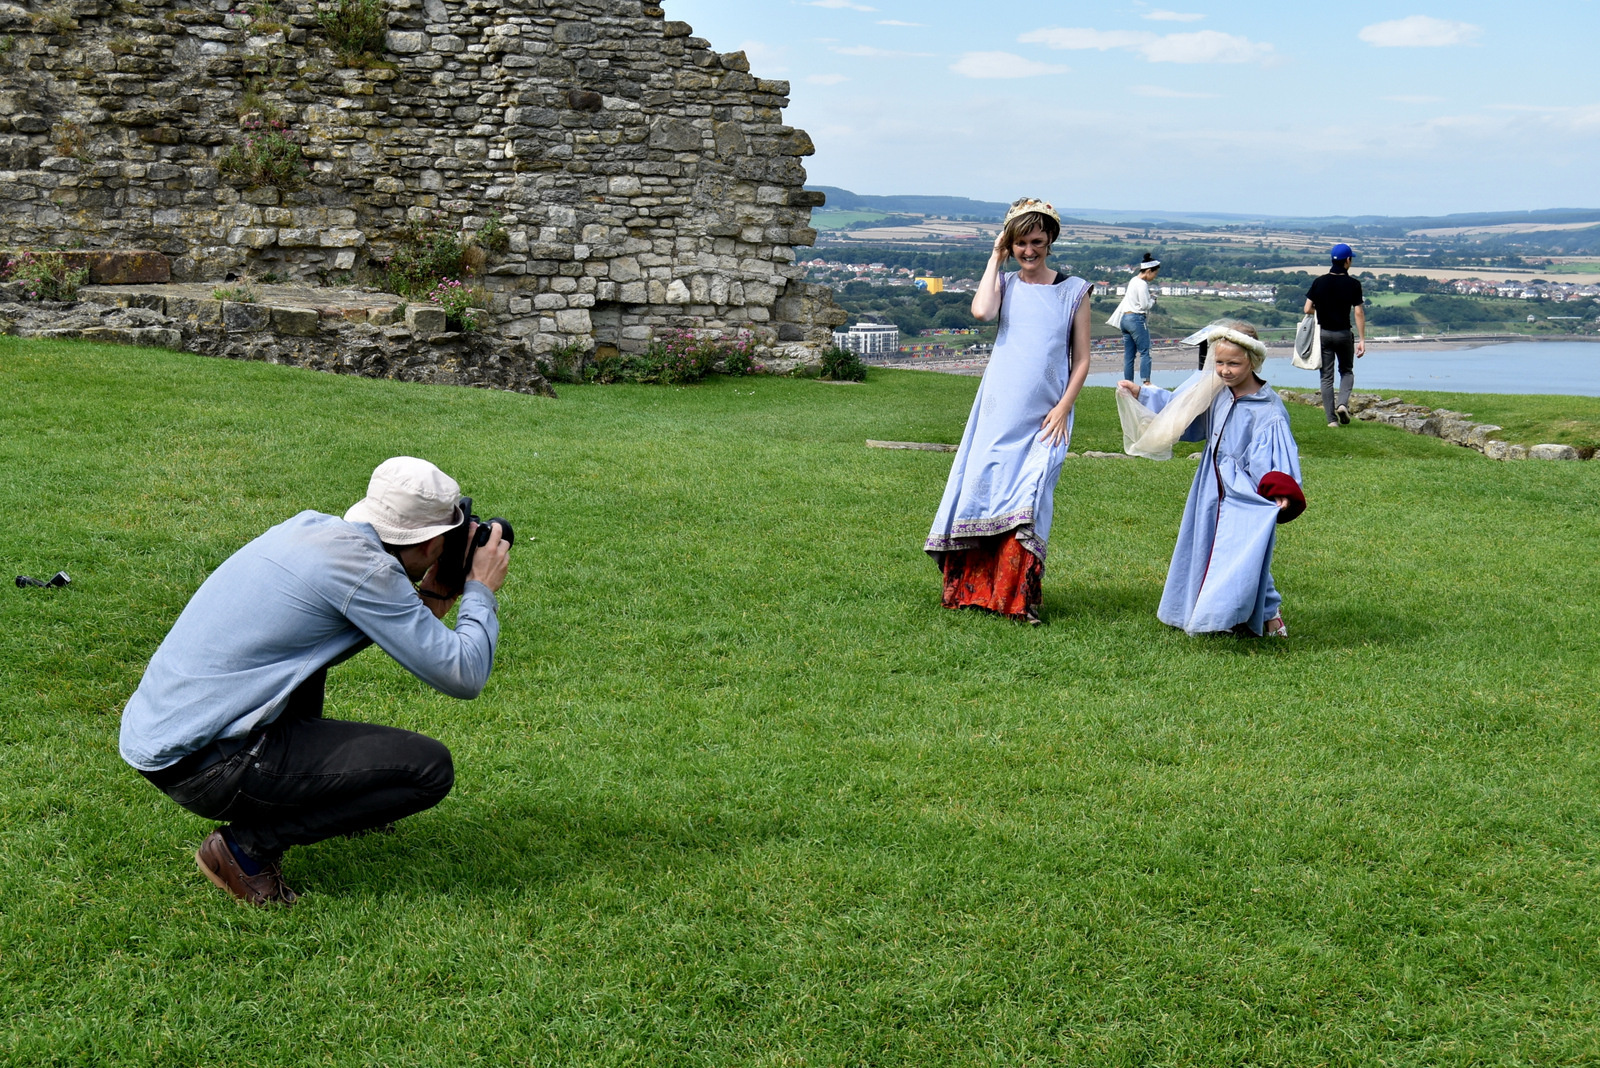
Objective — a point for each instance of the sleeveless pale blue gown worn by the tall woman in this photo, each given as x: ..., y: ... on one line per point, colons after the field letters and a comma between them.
x: 1004, y: 477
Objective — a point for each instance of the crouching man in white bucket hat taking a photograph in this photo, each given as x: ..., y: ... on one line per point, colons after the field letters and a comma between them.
x: 228, y: 719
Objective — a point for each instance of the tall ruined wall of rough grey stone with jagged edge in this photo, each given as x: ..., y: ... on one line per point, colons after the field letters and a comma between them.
x: 647, y: 181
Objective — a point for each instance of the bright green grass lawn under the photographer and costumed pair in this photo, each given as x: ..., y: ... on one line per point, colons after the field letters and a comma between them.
x: 742, y: 794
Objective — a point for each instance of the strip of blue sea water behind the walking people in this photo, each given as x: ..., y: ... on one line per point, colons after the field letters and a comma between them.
x: 1518, y: 367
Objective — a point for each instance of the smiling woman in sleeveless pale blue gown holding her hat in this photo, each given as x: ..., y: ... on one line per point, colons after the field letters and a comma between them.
x: 993, y: 527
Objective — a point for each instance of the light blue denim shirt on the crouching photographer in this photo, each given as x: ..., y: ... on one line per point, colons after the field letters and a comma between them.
x: 306, y: 594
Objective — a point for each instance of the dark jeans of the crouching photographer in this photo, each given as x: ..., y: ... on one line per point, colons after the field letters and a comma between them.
x: 303, y: 778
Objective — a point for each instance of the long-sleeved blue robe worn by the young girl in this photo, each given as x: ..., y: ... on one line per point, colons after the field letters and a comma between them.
x: 1222, y: 572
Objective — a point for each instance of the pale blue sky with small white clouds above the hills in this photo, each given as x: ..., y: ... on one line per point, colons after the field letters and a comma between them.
x: 1260, y: 108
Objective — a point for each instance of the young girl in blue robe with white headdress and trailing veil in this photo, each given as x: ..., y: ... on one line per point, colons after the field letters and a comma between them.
x: 1249, y: 482
